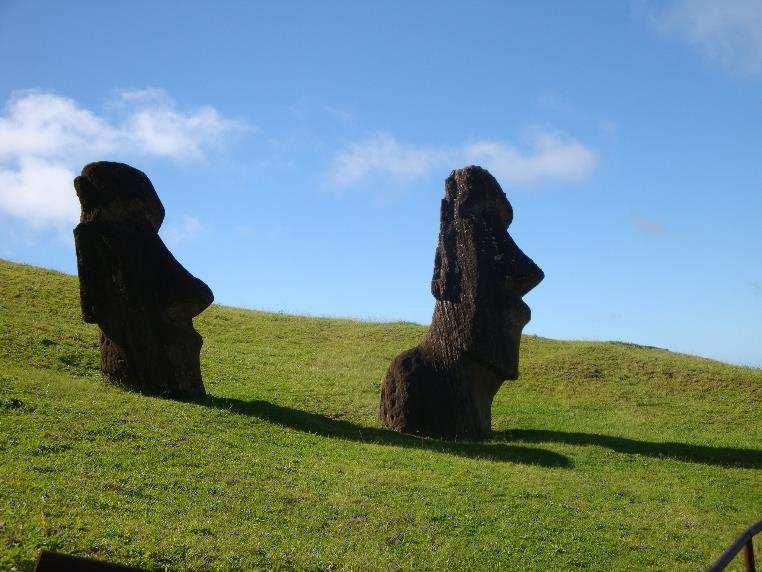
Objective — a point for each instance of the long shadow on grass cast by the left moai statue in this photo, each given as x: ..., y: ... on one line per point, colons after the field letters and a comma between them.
x: 348, y: 431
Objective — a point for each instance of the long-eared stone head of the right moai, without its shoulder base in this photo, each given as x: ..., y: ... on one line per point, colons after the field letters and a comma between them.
x: 480, y: 273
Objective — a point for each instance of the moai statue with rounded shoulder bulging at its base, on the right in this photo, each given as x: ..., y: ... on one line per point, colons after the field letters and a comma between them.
x: 444, y: 387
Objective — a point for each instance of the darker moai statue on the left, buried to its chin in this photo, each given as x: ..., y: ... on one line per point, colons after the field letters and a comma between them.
x: 131, y: 286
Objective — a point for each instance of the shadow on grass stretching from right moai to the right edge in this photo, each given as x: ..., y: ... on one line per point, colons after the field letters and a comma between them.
x: 719, y: 456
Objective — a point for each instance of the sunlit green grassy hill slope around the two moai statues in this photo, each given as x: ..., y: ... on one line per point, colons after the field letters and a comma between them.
x: 605, y: 456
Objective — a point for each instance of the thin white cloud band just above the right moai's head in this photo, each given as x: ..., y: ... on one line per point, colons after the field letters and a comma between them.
x: 547, y: 157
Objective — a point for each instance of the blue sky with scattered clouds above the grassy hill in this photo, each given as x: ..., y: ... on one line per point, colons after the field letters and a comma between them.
x: 300, y: 149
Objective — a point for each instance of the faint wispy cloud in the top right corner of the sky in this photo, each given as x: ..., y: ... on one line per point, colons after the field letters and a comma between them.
x: 726, y: 31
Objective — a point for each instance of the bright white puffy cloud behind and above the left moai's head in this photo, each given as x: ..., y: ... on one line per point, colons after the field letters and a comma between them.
x: 46, y: 138
